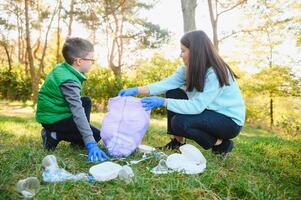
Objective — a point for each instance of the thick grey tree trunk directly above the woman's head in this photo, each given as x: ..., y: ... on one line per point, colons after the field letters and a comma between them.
x: 188, y: 10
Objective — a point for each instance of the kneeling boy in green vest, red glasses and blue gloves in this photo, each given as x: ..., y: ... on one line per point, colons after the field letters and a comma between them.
x: 63, y: 114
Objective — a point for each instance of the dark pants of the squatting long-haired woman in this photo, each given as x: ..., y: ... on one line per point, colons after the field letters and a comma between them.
x: 204, y: 128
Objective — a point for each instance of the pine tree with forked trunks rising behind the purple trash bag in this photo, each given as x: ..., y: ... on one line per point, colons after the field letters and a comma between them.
x: 122, y: 26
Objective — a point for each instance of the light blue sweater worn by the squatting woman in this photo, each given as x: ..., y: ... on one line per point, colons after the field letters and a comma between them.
x: 226, y: 100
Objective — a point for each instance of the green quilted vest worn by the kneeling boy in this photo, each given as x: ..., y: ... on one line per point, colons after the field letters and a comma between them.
x: 51, y: 105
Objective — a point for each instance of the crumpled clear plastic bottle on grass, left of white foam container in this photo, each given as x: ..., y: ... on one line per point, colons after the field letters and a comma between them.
x: 53, y: 173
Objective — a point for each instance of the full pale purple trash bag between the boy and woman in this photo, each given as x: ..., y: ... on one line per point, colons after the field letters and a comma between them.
x: 124, y: 125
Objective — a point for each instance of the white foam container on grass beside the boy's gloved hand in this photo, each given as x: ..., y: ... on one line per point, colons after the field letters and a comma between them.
x: 105, y: 171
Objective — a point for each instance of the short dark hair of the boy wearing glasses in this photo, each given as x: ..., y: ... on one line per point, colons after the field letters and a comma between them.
x: 76, y: 48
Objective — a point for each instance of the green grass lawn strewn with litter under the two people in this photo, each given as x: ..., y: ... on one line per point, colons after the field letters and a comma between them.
x: 263, y: 165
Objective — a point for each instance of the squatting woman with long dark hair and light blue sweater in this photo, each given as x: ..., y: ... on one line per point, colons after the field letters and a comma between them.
x: 210, y: 110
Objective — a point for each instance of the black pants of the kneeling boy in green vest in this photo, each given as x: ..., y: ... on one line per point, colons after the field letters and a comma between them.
x: 66, y: 129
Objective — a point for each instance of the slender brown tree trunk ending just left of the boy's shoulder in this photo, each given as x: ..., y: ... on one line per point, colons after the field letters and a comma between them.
x: 34, y: 81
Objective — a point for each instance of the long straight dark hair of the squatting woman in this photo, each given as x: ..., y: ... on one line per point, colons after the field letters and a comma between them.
x: 202, y: 55
